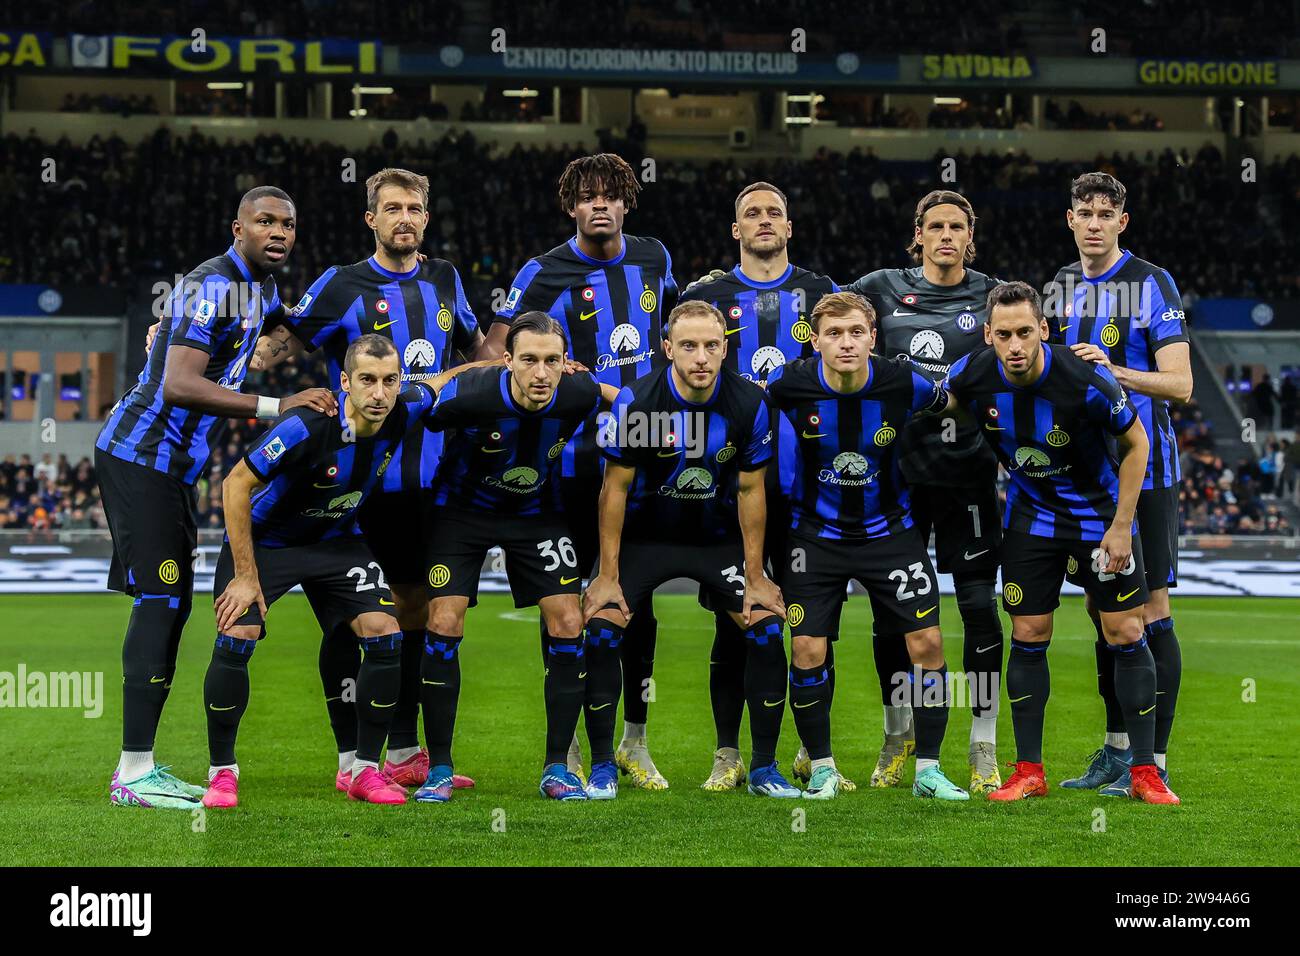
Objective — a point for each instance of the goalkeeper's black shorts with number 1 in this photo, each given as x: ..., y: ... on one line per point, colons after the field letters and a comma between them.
x: 968, y: 526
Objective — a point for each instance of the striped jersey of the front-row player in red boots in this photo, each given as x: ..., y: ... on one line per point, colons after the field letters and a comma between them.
x: 1055, y: 439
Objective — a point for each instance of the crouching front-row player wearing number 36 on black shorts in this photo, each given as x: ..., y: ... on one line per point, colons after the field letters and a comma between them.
x: 499, y: 486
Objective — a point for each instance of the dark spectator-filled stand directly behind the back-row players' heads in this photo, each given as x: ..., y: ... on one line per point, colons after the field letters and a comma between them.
x: 120, y: 214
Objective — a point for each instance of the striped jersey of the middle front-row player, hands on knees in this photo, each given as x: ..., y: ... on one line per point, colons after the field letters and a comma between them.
x: 688, y: 455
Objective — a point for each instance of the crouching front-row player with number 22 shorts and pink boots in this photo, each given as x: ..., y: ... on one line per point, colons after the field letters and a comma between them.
x: 292, y: 520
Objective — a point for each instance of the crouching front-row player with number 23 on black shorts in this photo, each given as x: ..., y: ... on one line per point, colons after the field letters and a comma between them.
x: 840, y: 418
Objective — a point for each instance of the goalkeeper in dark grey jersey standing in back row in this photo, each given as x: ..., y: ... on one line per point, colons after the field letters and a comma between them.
x: 935, y: 314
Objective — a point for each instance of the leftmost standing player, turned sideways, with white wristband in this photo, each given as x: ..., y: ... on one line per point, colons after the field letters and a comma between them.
x: 157, y: 443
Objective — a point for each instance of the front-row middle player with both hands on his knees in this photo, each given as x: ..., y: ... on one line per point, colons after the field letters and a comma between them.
x: 686, y: 452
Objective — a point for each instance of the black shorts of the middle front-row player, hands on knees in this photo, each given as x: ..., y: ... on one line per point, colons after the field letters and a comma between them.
x: 718, y: 568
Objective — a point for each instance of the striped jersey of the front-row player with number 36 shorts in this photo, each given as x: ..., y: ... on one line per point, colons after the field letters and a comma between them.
x: 504, y: 458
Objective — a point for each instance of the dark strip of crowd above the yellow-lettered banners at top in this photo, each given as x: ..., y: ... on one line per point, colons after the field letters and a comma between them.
x: 1154, y: 28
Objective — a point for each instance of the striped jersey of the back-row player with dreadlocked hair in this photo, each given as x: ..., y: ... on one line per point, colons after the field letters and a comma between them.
x: 613, y: 313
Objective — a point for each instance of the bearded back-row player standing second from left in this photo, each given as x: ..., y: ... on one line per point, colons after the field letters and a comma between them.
x: 421, y: 306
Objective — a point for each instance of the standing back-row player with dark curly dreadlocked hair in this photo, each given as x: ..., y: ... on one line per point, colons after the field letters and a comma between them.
x: 610, y: 293
